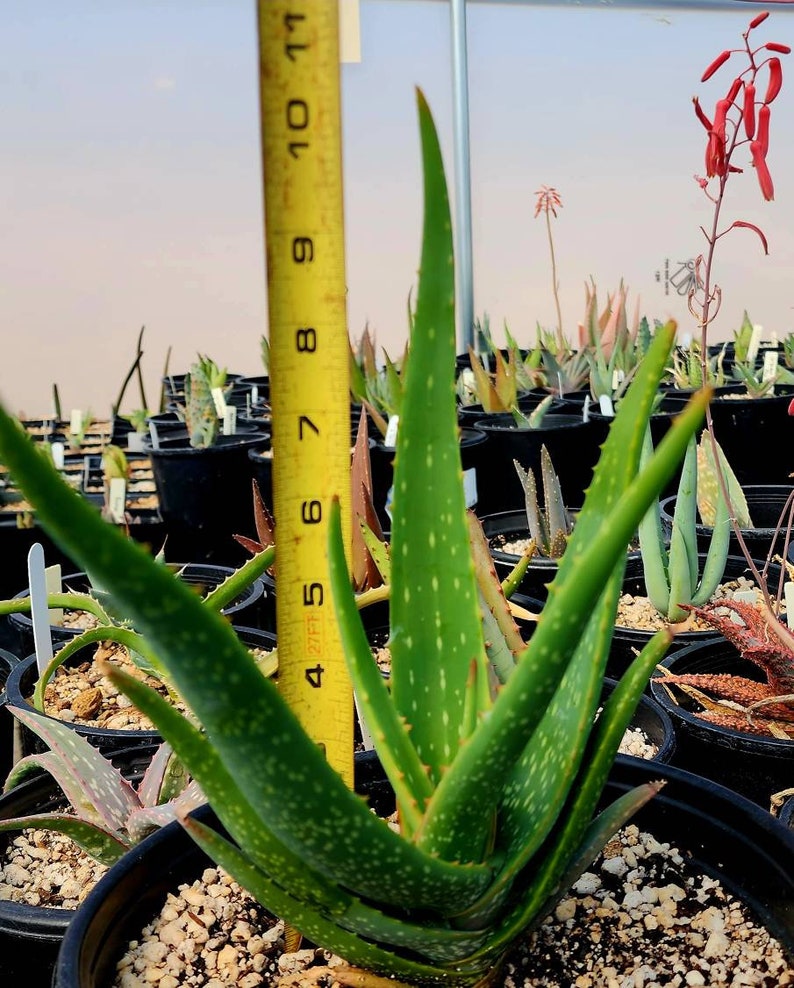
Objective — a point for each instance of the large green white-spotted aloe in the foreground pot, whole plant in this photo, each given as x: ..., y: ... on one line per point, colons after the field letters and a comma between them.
x: 497, y: 789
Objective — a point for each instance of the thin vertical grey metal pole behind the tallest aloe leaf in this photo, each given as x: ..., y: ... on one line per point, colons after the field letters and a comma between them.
x: 464, y: 265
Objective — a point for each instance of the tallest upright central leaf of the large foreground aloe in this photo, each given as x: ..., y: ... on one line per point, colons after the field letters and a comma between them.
x: 436, y: 628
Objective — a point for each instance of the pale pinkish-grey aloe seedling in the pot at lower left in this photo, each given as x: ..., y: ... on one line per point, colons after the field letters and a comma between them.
x: 108, y: 815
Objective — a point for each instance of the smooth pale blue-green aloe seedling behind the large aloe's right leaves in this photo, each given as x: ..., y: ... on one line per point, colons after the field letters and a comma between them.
x: 673, y: 576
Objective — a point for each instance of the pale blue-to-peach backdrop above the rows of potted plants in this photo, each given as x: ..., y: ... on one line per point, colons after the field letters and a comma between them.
x: 130, y: 184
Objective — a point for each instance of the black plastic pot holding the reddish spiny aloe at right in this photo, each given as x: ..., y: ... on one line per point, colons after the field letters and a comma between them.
x: 749, y: 764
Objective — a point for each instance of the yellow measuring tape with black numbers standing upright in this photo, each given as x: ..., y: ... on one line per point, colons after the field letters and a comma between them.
x: 304, y: 234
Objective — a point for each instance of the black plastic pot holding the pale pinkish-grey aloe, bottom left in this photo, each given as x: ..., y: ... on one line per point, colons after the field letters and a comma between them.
x: 30, y: 936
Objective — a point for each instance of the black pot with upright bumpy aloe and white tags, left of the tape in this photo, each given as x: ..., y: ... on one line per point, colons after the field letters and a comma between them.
x: 205, y: 495
